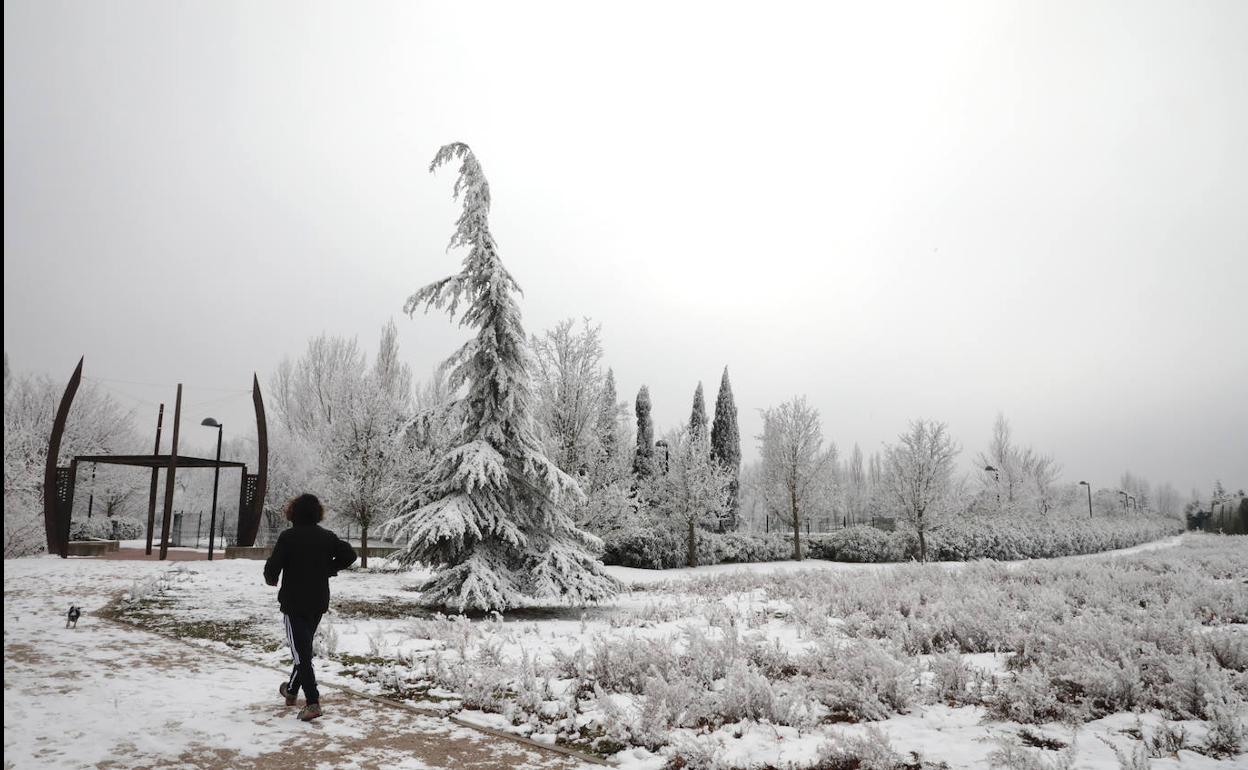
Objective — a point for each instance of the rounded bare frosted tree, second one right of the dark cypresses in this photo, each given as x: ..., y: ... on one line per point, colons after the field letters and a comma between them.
x: 919, y: 476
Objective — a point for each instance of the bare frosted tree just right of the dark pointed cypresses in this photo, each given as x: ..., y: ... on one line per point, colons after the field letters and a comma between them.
x: 794, y: 464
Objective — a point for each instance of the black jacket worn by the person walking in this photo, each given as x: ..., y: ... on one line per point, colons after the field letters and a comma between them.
x: 308, y: 556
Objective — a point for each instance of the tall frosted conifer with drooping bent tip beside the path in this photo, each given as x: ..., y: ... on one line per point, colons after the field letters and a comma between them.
x: 489, y: 516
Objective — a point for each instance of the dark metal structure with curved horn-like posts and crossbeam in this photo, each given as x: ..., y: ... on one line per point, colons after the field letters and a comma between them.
x: 59, y: 480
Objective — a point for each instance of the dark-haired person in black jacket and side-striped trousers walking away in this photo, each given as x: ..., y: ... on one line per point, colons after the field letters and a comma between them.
x: 306, y: 556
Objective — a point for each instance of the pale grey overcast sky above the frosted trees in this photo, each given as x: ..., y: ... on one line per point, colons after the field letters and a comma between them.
x: 899, y: 210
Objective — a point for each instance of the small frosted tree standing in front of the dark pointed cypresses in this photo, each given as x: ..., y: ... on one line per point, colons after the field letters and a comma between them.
x: 693, y: 494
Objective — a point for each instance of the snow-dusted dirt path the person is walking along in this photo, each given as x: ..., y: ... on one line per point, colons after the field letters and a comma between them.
x: 107, y: 696
